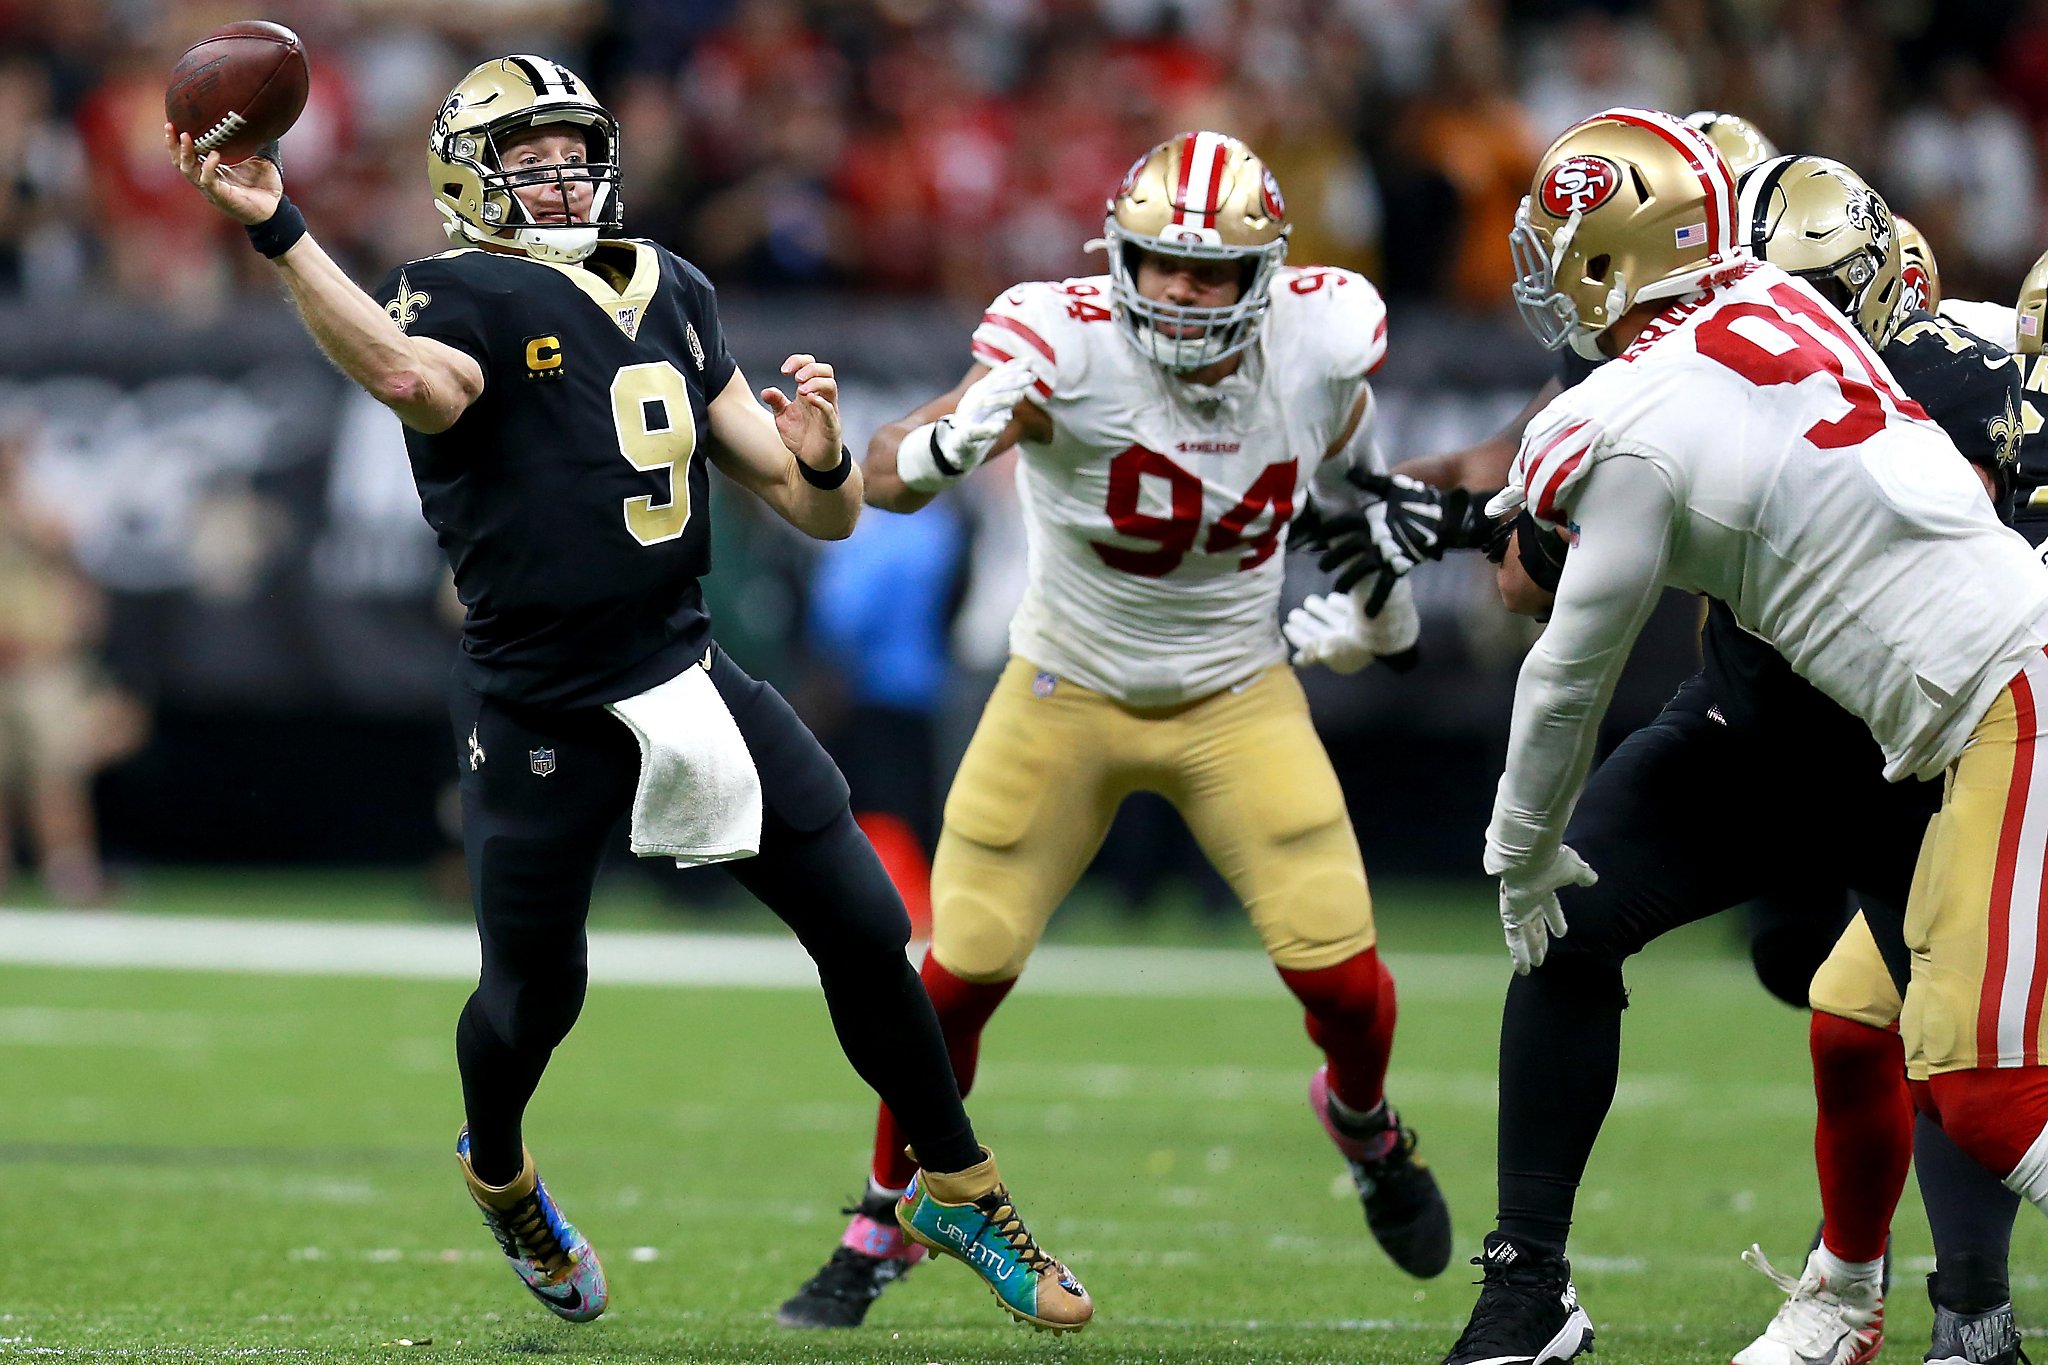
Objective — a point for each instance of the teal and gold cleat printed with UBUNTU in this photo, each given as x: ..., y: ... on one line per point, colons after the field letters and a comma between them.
x: 970, y: 1217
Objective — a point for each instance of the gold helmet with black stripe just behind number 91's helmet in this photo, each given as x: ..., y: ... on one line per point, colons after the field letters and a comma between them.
x: 1818, y: 220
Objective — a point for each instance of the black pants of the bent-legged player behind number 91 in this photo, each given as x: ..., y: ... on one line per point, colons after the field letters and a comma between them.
x: 1689, y: 818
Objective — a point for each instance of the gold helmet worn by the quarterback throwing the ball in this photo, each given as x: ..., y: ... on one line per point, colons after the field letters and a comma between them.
x: 474, y: 191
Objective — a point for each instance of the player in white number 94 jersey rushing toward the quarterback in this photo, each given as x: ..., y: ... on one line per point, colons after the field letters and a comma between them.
x: 1172, y: 416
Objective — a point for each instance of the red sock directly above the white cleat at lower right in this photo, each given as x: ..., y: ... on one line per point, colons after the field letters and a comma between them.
x: 1863, y: 1137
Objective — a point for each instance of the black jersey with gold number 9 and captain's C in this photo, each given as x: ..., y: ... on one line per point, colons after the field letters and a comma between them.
x: 572, y: 494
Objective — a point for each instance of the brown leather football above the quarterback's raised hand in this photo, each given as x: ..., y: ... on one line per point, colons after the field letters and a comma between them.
x: 239, y: 89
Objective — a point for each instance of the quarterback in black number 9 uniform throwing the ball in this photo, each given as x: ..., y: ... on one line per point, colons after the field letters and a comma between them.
x: 564, y: 396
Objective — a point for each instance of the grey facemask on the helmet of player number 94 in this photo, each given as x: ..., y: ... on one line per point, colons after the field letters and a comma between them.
x: 1181, y: 337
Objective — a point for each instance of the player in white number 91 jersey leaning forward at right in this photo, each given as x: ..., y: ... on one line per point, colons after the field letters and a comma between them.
x: 1906, y: 601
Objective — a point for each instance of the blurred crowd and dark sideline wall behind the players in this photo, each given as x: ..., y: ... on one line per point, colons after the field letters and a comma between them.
x: 253, y: 619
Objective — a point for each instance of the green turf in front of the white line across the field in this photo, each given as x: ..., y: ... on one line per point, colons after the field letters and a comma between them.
x: 210, y: 1165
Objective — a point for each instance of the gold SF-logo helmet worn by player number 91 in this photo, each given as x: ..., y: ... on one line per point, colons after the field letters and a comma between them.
x: 1627, y: 208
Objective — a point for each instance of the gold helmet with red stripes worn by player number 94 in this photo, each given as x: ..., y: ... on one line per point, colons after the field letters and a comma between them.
x: 1205, y: 197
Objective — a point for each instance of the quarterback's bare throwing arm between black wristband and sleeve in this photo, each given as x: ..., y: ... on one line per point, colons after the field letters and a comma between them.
x: 355, y: 333
